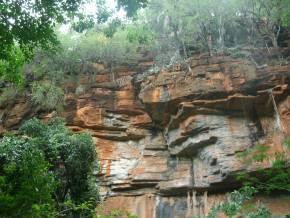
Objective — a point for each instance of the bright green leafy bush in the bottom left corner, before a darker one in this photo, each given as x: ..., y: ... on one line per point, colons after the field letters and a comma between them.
x: 27, y: 185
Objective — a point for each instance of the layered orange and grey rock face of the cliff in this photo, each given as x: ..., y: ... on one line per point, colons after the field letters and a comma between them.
x: 169, y: 141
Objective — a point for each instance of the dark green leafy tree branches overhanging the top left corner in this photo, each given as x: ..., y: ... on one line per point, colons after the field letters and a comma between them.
x: 28, y: 24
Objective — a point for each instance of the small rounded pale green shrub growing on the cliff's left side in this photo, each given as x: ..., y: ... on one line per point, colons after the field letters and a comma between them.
x: 47, y: 95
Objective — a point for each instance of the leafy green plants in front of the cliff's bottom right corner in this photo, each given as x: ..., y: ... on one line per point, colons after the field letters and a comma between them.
x: 275, y: 178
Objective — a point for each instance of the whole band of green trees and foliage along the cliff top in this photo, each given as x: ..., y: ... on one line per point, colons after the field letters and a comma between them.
x: 174, y: 29
